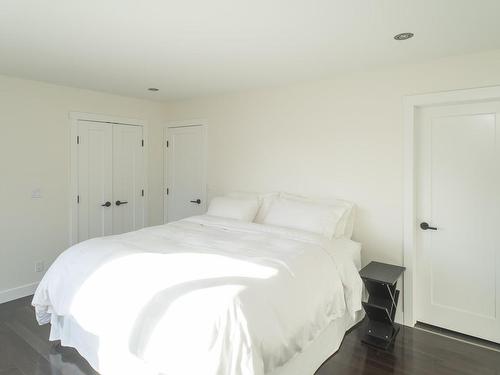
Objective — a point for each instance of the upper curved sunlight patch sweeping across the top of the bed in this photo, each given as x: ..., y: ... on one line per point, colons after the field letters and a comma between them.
x: 118, y: 291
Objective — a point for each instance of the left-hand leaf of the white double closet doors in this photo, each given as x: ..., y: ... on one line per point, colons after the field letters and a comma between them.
x: 95, y: 193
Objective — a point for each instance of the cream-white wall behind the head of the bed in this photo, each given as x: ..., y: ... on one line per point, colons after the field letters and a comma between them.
x: 341, y: 137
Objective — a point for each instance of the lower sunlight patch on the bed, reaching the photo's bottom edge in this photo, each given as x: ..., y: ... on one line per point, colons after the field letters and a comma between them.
x: 209, y: 315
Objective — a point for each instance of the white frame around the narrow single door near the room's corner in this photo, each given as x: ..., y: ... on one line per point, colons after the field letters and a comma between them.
x: 181, y: 124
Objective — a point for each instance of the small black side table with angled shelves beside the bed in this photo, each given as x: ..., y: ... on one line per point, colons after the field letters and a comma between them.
x: 380, y: 280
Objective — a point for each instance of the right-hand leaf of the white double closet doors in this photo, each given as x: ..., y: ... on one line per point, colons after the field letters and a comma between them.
x: 128, y: 178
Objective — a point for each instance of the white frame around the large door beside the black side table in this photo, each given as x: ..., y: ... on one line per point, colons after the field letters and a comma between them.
x: 410, y: 105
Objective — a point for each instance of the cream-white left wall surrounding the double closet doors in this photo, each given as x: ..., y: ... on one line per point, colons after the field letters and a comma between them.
x: 35, y: 153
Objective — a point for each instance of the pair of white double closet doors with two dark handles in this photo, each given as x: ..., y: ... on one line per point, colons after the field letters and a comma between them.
x: 110, y: 179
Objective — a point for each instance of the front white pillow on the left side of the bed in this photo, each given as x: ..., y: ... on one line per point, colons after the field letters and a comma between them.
x: 234, y: 208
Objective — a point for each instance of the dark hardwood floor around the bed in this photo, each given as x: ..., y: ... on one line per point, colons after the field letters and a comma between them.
x: 25, y: 350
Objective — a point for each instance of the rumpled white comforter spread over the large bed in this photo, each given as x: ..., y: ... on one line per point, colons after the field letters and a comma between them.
x: 202, y: 295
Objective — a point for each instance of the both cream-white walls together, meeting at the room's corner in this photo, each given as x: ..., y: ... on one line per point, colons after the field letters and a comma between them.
x: 340, y: 137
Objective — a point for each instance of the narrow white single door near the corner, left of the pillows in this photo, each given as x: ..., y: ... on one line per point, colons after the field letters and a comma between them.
x: 186, y: 185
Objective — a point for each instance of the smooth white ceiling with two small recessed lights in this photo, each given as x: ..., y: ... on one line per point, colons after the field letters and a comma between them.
x: 191, y: 48
